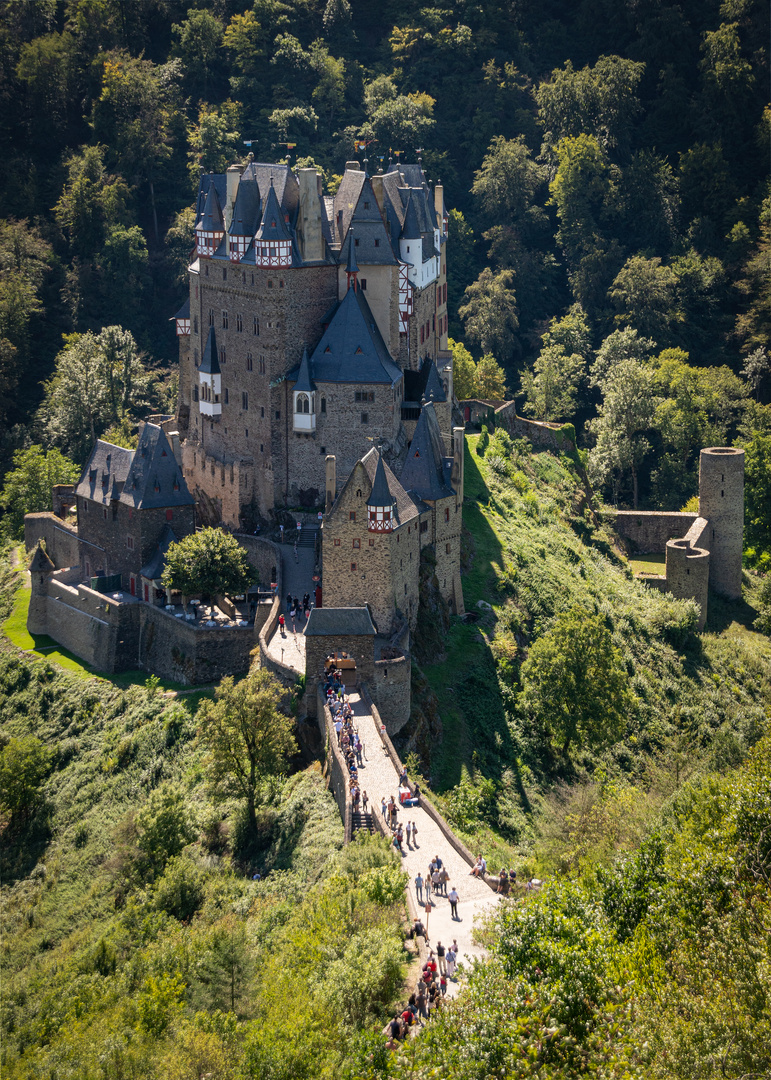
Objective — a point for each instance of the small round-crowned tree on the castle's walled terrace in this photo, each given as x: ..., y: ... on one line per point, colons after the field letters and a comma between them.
x: 208, y: 563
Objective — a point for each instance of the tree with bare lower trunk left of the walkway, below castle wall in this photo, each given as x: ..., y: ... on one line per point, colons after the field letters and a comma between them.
x: 248, y: 737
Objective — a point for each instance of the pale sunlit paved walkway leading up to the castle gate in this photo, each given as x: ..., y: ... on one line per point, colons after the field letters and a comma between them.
x: 378, y: 778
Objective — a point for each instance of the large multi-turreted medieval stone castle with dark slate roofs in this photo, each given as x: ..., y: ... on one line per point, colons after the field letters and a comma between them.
x: 315, y: 380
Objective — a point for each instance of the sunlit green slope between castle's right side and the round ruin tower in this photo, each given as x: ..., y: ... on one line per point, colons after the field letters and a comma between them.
x: 535, y: 548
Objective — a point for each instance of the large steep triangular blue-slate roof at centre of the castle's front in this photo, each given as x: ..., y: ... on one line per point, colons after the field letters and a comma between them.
x: 353, y: 349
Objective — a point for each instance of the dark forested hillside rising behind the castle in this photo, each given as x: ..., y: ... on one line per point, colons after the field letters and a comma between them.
x: 606, y: 167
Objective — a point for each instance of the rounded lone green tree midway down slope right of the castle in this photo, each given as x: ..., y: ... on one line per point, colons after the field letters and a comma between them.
x: 575, y: 684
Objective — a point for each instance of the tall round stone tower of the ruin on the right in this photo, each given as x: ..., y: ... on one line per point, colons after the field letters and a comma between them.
x: 722, y: 504
